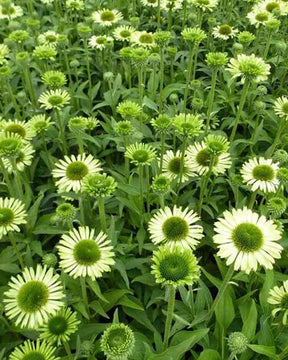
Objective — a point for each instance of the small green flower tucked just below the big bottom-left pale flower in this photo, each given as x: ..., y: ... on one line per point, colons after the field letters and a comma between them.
x: 59, y: 327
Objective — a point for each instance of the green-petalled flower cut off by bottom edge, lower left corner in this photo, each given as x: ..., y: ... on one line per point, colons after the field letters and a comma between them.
x: 34, y: 351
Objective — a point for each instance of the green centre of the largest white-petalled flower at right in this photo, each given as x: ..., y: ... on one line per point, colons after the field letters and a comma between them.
x: 247, y: 237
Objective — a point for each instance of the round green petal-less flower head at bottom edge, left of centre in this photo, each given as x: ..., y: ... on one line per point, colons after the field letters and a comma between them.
x: 117, y: 342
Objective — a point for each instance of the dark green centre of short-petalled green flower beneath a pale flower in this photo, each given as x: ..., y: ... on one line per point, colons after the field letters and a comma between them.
x: 174, y: 267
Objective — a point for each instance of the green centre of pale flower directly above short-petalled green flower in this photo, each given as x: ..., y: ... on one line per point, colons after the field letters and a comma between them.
x: 175, y: 228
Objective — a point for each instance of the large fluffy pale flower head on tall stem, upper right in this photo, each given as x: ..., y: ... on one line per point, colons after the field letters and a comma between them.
x: 249, y: 67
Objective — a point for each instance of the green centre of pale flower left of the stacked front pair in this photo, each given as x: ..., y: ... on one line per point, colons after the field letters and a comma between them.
x: 87, y: 252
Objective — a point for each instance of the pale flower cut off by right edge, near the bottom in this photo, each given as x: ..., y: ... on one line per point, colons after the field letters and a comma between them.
x: 279, y: 297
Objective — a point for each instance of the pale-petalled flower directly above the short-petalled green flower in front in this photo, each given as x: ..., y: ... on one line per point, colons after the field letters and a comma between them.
x: 175, y: 227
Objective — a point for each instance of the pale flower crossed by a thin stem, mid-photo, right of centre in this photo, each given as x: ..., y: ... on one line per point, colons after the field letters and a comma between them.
x: 172, y: 164
